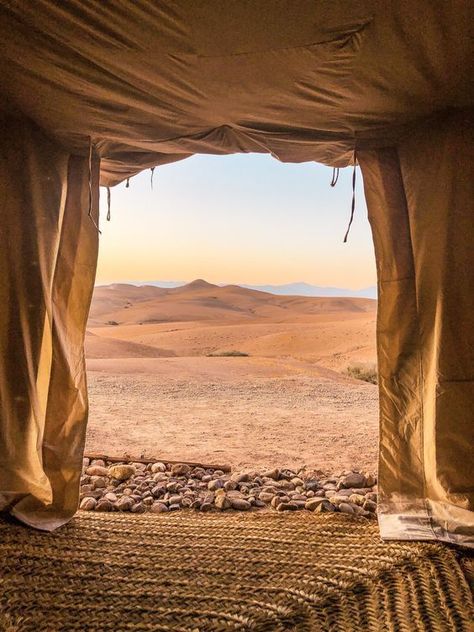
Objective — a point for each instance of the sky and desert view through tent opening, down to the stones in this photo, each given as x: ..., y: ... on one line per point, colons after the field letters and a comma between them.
x: 222, y: 329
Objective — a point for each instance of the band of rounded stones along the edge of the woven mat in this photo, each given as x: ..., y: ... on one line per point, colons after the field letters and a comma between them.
x: 158, y: 488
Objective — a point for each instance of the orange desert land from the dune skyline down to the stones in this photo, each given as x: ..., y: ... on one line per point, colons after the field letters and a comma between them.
x: 154, y: 389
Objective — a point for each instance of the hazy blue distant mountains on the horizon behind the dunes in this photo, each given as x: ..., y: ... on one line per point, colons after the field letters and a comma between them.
x: 287, y: 289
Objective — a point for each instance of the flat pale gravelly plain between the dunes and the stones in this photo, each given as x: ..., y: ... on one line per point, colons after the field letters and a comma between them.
x: 240, y: 414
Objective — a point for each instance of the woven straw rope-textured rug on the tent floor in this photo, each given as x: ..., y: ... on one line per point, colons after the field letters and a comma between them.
x: 205, y: 572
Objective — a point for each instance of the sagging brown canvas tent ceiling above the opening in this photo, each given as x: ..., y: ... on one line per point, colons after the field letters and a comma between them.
x: 155, y: 82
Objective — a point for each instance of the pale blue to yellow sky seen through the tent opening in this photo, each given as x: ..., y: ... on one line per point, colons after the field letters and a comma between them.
x: 244, y: 218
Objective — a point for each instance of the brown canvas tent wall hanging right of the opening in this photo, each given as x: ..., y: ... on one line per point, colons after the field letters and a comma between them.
x: 419, y: 196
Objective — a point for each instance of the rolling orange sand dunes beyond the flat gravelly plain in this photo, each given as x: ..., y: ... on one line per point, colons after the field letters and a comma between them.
x: 201, y: 318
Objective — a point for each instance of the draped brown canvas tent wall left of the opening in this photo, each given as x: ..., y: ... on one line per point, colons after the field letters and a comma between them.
x: 48, y: 255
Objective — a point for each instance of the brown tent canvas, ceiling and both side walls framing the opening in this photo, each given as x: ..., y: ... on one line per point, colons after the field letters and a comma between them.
x: 97, y: 92
